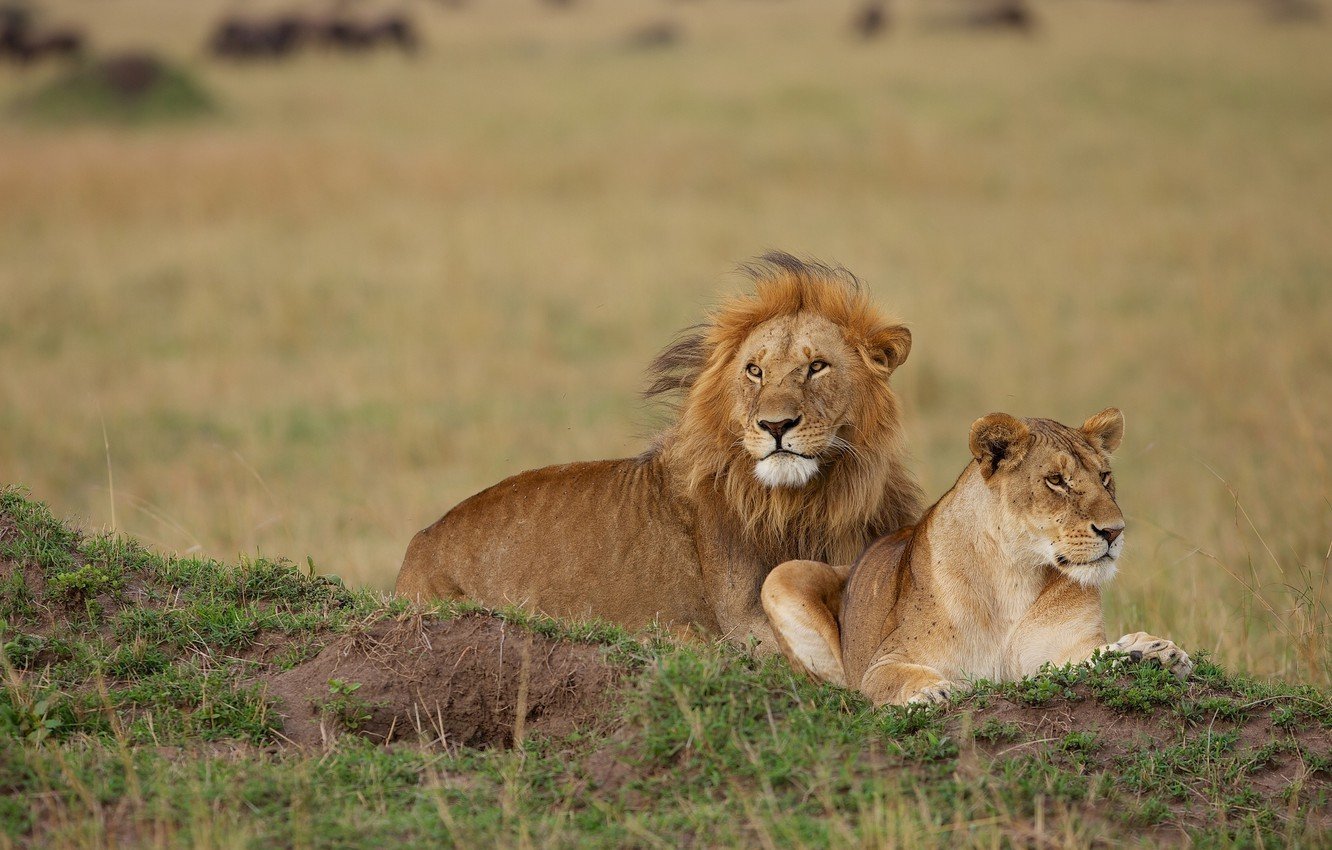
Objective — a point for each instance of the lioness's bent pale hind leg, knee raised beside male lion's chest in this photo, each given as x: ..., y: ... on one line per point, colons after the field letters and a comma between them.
x: 803, y: 600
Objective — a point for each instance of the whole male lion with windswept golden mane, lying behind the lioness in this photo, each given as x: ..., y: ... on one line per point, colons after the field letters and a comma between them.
x: 788, y: 446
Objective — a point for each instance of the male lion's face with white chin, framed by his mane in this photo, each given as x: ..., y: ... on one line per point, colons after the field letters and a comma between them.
x: 795, y: 380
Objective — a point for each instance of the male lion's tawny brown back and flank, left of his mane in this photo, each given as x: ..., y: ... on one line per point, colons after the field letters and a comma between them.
x: 589, y: 540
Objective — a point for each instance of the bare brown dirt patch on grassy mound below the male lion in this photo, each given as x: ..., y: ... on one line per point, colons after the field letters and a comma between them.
x: 472, y: 681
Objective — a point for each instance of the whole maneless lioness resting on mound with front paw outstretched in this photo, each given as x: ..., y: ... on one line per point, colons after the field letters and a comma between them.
x: 1001, y: 576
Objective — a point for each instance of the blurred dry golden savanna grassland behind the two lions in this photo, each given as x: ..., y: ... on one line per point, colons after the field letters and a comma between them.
x: 306, y: 300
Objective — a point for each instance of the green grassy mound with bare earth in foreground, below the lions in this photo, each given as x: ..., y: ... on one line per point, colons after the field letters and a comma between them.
x: 159, y: 703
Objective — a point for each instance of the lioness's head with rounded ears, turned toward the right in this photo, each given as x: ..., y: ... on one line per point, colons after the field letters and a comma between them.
x: 1056, y: 491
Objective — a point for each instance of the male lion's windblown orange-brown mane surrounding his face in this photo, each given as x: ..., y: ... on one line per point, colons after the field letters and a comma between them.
x: 865, y: 491
